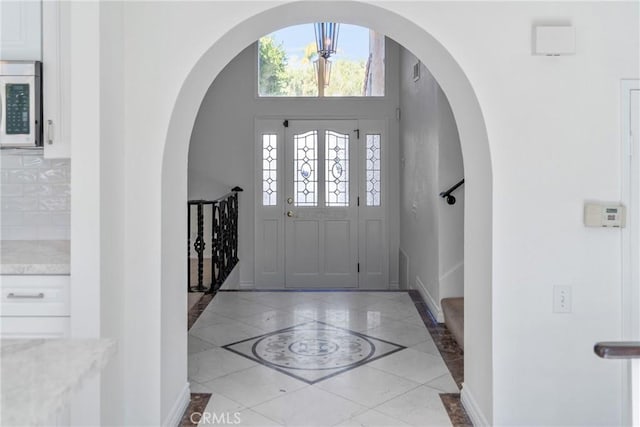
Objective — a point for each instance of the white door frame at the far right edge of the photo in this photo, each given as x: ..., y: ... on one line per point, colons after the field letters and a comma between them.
x: 630, y: 246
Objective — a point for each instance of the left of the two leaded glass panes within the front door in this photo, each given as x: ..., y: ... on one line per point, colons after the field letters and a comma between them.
x: 305, y: 164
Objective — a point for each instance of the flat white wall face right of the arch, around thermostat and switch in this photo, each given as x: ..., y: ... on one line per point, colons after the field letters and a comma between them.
x: 554, y: 127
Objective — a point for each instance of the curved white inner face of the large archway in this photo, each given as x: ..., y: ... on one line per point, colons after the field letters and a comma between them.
x: 477, y: 170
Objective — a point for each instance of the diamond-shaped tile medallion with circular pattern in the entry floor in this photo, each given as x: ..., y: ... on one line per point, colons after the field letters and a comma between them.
x: 313, y: 351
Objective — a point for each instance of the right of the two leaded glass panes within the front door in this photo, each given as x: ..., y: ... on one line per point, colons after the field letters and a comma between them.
x: 336, y: 168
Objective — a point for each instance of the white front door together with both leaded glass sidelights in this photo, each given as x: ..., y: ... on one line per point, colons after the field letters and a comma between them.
x: 321, y: 204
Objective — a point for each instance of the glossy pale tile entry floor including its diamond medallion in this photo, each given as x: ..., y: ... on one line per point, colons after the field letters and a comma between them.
x: 347, y: 358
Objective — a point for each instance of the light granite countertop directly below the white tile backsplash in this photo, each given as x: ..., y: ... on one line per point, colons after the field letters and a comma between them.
x: 34, y: 257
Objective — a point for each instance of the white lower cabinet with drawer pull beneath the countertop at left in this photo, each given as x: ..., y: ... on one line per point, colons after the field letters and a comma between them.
x: 34, y: 307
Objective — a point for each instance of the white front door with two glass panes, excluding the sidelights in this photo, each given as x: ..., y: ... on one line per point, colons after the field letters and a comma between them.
x: 321, y: 192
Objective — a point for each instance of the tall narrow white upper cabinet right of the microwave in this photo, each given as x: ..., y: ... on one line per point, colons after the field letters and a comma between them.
x: 56, y: 86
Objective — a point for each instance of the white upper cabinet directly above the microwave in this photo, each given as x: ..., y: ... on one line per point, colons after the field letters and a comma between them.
x: 20, y: 30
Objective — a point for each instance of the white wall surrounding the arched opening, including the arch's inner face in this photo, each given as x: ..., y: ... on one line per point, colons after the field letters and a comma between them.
x: 553, y: 129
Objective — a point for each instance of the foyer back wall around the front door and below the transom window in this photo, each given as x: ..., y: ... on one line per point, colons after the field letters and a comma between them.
x: 221, y: 153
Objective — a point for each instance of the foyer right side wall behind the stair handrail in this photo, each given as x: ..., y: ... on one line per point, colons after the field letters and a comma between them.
x: 432, y: 231
